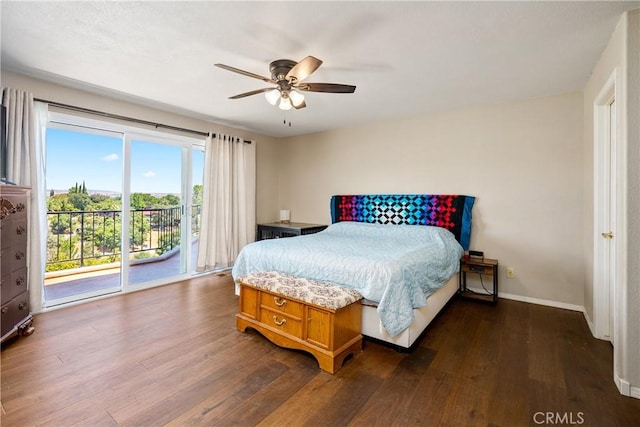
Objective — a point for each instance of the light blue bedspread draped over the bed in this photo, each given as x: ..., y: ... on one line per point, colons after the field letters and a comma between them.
x: 397, y: 266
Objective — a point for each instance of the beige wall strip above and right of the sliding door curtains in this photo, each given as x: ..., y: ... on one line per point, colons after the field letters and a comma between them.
x: 266, y: 147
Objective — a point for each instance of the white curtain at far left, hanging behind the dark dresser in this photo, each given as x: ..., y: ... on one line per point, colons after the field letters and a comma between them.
x: 26, y: 131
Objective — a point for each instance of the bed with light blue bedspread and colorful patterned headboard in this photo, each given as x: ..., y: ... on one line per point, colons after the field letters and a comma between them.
x: 401, y: 252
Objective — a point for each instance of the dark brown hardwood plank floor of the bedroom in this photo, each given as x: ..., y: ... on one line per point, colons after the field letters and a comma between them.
x: 171, y: 356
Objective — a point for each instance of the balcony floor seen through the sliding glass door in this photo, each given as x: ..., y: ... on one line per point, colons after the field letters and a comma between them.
x: 138, y: 273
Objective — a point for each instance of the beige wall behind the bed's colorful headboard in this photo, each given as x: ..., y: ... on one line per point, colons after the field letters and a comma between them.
x: 523, y: 162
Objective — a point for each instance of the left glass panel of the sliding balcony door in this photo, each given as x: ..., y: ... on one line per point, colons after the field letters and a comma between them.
x: 84, y: 183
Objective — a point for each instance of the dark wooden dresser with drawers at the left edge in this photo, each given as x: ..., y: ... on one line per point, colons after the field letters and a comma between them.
x: 14, y: 282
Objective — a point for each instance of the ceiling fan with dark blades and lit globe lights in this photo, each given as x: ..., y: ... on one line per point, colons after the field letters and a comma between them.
x: 288, y: 77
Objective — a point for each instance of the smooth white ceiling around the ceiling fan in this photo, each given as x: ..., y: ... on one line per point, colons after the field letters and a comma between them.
x: 406, y: 58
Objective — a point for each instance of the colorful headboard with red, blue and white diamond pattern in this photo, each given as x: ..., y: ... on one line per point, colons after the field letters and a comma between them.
x: 452, y: 212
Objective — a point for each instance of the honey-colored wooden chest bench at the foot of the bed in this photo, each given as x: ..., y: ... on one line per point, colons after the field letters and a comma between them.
x: 329, y: 334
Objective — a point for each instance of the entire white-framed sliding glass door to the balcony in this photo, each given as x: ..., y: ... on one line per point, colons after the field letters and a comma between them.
x: 123, y: 208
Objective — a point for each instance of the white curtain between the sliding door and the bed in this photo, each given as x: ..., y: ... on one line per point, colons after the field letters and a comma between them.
x: 228, y: 201
